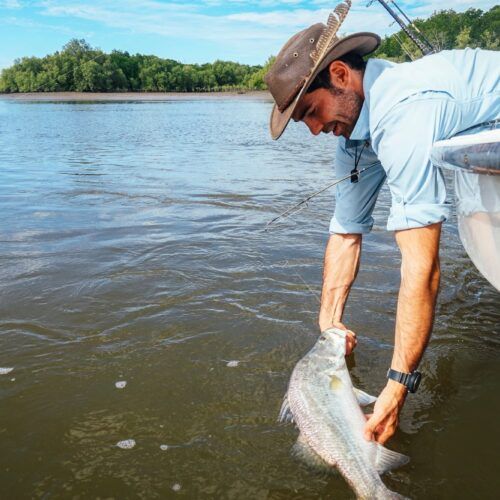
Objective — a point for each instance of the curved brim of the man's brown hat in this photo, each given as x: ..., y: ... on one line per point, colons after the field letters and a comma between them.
x: 360, y: 43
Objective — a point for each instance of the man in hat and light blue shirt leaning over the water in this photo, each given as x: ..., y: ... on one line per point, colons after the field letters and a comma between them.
x: 387, y: 117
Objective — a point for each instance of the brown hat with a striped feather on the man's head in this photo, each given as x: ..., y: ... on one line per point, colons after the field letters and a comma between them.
x: 304, y: 56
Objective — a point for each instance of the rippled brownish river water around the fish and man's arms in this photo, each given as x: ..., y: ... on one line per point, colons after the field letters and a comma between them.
x: 132, y: 249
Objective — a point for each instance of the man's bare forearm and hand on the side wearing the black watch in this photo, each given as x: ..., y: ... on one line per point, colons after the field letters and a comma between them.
x: 415, y: 314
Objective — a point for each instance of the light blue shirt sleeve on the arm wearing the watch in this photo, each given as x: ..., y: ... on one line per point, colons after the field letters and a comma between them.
x: 403, y: 142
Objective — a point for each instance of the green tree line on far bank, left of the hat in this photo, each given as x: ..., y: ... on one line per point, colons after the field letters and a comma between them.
x: 79, y: 67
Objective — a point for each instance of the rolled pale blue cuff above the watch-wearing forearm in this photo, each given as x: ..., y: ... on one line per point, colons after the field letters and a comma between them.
x: 414, y: 216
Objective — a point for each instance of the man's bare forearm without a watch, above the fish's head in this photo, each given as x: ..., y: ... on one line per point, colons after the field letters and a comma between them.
x: 340, y: 269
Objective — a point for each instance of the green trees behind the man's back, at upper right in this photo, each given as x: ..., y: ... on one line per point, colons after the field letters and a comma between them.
x: 447, y: 29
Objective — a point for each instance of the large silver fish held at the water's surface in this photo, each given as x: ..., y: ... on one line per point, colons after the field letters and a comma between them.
x: 325, y: 407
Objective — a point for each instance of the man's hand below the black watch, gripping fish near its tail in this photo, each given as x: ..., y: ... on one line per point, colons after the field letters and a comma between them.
x: 382, y: 424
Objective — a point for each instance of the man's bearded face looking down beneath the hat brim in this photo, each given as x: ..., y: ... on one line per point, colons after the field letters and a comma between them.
x: 331, y: 110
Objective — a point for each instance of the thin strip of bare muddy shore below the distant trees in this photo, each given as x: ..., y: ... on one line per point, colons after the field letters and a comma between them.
x: 261, y: 95
